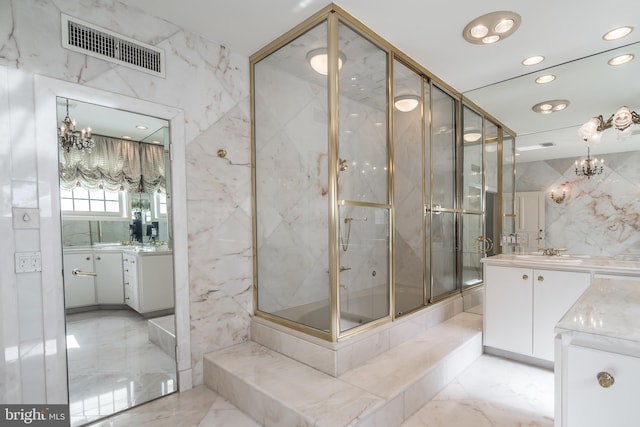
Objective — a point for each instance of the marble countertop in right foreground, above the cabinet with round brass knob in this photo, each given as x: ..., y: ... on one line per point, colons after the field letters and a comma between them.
x: 609, y: 308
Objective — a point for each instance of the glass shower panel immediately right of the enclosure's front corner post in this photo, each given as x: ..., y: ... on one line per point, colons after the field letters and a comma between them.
x: 363, y: 182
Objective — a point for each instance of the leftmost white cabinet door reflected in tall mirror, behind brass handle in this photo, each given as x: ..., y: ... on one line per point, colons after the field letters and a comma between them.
x: 79, y: 289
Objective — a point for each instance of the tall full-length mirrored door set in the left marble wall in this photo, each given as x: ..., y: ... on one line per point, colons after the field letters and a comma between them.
x: 115, y: 200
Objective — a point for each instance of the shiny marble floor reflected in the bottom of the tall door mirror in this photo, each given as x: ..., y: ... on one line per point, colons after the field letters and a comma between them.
x: 113, y: 365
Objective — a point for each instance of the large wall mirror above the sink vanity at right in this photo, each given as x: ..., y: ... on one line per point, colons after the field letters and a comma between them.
x: 593, y: 215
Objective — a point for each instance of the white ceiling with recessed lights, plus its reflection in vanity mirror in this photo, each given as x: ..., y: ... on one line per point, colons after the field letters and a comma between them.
x: 492, y: 76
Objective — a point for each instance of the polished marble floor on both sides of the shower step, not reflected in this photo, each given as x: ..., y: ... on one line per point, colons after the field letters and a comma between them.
x: 491, y: 392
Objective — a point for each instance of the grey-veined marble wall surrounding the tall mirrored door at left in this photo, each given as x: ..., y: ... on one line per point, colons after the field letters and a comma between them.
x: 205, y: 80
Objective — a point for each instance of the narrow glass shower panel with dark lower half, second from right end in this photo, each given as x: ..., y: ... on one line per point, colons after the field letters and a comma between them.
x: 492, y: 206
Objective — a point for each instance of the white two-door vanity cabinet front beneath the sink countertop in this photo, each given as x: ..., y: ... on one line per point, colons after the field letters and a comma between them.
x: 523, y: 305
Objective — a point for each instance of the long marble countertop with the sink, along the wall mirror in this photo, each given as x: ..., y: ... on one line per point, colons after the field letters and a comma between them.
x: 630, y: 266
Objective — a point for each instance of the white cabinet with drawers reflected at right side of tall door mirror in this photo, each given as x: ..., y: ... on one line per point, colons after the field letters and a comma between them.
x: 148, y: 280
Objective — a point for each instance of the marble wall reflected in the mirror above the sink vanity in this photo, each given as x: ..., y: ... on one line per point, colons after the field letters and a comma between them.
x: 601, y: 215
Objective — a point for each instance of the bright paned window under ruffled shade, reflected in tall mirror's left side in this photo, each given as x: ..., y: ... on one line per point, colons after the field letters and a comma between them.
x: 80, y: 201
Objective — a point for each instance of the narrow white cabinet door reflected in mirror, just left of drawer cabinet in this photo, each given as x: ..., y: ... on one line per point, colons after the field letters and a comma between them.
x: 109, y: 280
